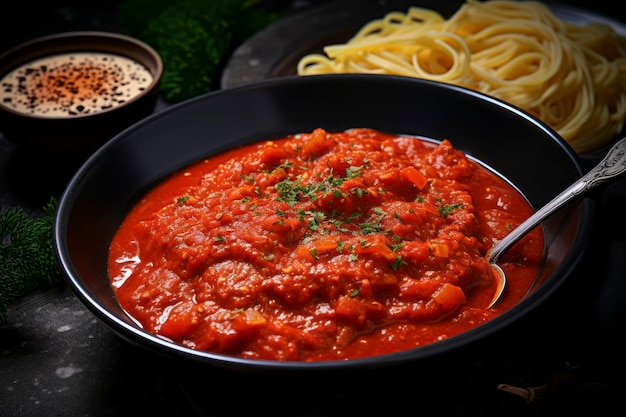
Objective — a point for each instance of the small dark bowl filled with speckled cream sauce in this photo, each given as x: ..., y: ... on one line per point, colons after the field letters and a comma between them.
x: 74, y: 91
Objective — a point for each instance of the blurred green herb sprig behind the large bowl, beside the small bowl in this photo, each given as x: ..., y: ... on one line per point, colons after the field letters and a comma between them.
x: 193, y: 37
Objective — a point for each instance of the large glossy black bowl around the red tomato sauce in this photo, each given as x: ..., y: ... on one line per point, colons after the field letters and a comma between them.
x: 524, y: 150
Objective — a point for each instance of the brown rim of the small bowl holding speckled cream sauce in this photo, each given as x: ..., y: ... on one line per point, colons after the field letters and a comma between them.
x: 83, y: 41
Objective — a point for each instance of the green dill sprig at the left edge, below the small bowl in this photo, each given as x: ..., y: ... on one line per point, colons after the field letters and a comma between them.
x: 27, y: 261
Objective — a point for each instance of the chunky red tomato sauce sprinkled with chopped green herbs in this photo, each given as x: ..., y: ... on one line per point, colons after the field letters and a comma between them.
x: 321, y: 246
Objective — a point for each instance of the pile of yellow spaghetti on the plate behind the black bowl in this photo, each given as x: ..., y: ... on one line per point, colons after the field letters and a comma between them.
x: 570, y: 76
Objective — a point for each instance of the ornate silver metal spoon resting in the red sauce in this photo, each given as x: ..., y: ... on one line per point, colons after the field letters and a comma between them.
x: 611, y: 166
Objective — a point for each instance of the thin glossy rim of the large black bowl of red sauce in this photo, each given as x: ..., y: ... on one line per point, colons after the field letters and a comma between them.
x: 144, y: 339
